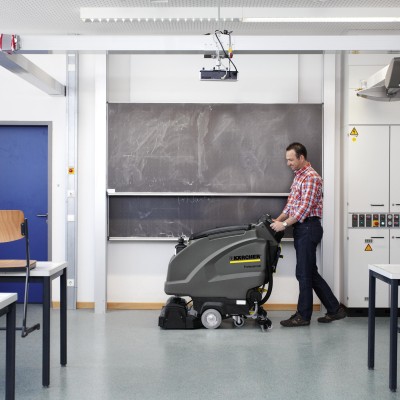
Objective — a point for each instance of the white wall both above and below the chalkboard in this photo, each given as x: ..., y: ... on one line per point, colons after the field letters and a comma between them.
x: 175, y: 78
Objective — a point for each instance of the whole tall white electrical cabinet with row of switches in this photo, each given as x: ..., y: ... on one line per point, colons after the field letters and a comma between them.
x: 373, y: 209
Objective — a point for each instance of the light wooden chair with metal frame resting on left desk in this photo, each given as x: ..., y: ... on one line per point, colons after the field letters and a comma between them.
x: 14, y: 226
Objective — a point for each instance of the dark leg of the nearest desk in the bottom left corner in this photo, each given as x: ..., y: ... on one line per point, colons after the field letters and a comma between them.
x: 10, y: 352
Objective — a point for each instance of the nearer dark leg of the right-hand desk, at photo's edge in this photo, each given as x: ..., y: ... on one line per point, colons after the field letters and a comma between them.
x: 393, y: 336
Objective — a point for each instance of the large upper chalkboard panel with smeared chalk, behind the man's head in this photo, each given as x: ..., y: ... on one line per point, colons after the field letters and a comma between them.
x: 222, y: 148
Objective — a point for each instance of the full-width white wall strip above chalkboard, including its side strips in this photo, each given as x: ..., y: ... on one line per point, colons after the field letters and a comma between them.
x: 175, y: 78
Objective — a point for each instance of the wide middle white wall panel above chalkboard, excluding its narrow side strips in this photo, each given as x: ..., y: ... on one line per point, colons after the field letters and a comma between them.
x: 175, y: 78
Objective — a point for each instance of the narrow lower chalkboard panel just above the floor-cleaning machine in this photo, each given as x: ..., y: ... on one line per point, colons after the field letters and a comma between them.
x: 170, y: 216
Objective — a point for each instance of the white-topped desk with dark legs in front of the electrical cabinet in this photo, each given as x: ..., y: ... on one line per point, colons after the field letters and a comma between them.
x: 389, y: 273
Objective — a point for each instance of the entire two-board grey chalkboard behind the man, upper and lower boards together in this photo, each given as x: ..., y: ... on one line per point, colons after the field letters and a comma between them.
x: 202, y: 148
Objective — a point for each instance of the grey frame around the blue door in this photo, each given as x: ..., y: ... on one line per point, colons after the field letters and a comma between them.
x: 49, y: 125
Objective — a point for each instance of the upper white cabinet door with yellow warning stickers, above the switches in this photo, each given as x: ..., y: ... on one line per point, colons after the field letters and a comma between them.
x: 368, y: 169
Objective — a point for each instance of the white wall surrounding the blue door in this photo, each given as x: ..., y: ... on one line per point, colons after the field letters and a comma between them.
x: 20, y: 102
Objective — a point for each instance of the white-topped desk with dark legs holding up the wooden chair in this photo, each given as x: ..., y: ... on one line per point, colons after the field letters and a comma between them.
x: 44, y: 273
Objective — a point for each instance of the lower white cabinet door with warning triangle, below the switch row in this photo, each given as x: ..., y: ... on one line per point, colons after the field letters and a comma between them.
x: 365, y: 246
